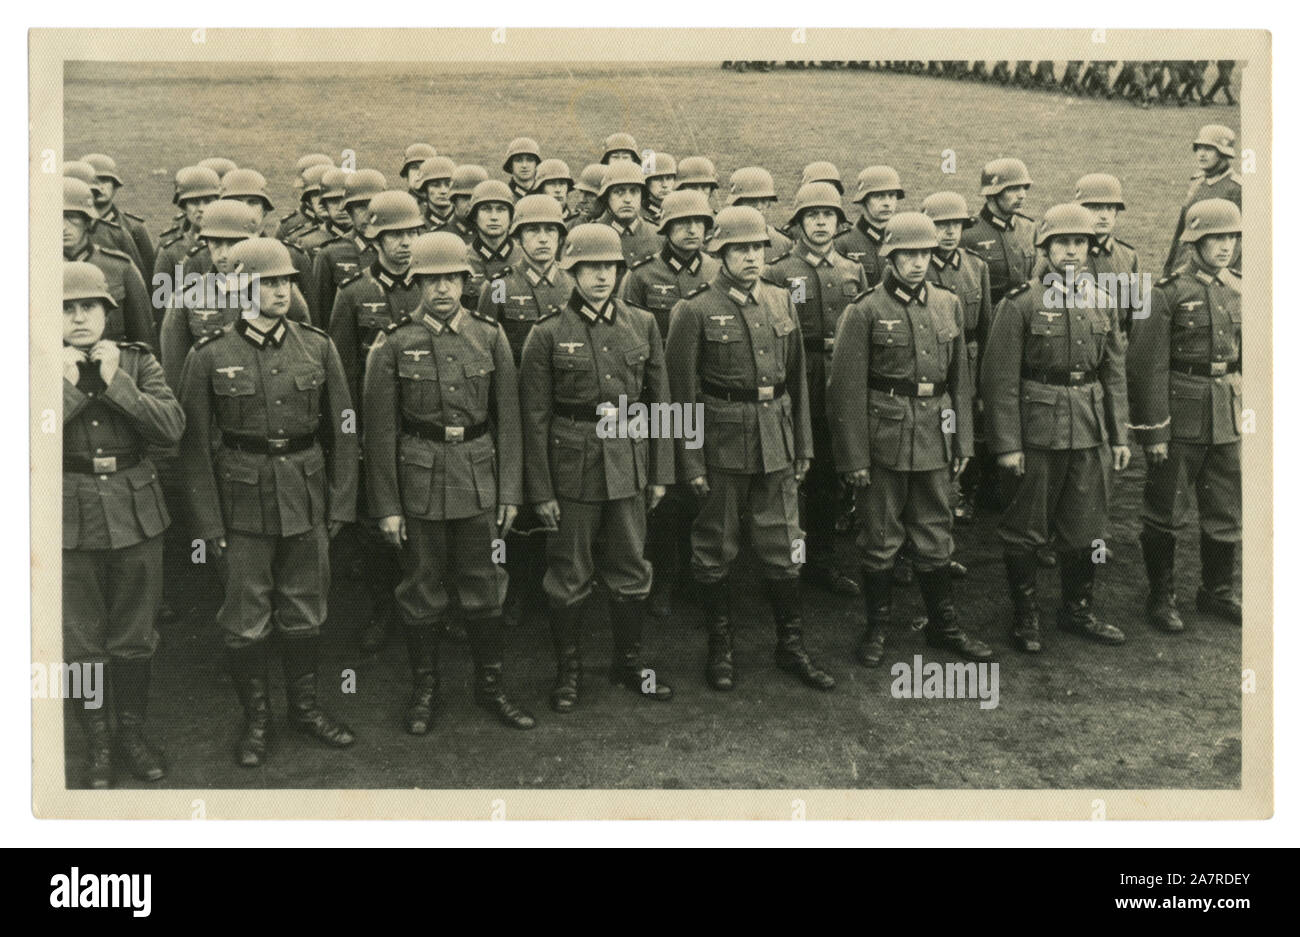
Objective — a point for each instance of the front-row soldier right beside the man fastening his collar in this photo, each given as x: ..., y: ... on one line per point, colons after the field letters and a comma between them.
x: 267, y: 494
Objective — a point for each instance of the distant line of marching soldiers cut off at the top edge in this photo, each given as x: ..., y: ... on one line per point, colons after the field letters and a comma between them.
x: 1141, y: 83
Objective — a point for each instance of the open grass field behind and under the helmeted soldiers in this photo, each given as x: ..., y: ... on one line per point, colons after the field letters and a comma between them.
x: 1158, y: 713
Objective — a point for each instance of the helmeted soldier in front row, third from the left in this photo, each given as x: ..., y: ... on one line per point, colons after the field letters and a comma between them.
x: 444, y: 471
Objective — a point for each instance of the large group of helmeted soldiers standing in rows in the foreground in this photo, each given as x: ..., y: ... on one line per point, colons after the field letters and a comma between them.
x: 430, y: 366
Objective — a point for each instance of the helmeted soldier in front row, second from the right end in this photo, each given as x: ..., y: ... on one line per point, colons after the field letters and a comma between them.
x: 1058, y: 410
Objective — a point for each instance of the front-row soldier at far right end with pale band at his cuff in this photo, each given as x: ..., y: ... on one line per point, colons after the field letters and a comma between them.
x: 1185, y: 384
